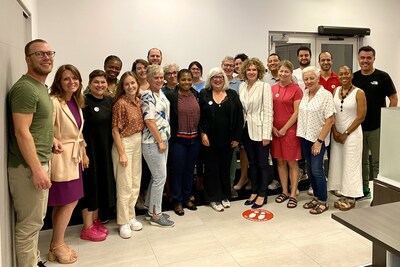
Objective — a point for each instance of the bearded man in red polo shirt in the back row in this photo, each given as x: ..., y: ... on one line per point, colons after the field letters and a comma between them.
x: 328, y: 79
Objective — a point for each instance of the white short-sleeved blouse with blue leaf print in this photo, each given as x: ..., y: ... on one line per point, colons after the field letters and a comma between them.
x: 155, y: 106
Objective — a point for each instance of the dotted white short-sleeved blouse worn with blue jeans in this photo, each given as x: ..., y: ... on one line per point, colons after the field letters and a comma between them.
x: 313, y: 114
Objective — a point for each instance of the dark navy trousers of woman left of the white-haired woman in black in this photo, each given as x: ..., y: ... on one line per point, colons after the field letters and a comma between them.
x: 182, y: 159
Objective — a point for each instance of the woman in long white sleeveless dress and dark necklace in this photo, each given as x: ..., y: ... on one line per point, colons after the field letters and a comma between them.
x: 345, y: 172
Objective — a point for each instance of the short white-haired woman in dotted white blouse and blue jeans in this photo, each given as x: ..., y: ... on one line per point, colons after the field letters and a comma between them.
x: 314, y: 123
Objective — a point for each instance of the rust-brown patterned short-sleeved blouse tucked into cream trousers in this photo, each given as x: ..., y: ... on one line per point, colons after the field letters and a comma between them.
x: 127, y: 116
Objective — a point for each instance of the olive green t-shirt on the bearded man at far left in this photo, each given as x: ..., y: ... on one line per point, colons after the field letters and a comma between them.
x: 31, y: 97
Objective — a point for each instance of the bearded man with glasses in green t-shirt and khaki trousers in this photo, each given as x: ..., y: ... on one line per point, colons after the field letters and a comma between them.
x: 30, y: 113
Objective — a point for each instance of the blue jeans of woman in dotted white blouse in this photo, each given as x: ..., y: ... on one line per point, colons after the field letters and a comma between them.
x: 315, y: 169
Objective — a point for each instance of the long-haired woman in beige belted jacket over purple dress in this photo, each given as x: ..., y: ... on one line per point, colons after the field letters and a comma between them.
x: 68, y: 151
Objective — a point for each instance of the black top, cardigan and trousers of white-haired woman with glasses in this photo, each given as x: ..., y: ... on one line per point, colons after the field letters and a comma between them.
x: 223, y: 123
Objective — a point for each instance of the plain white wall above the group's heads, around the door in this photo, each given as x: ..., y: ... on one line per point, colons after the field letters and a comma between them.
x: 84, y: 32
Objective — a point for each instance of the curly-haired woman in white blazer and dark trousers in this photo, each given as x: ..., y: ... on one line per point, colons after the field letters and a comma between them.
x: 256, y: 99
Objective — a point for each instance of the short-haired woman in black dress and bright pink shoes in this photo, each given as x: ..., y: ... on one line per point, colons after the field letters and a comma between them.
x: 98, y: 177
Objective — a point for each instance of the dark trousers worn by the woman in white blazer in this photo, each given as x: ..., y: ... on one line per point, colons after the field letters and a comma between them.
x: 259, y: 173
